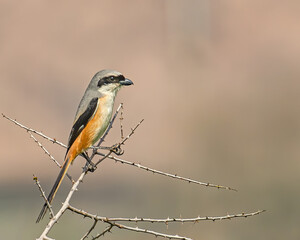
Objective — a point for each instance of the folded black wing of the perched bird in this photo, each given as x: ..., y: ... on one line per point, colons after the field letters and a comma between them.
x: 82, y: 121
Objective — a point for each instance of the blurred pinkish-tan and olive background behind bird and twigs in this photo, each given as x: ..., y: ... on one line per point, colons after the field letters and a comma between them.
x: 217, y: 83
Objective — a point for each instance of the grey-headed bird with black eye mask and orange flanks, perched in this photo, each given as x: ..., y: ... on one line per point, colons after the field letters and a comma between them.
x: 91, y: 121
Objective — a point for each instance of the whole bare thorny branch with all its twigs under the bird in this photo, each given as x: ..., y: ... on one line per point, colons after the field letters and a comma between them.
x: 113, y: 222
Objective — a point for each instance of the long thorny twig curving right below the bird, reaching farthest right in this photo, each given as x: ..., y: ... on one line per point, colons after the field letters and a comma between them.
x: 165, y: 220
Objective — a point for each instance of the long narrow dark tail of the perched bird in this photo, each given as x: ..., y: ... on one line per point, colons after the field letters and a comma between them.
x: 55, y: 187
